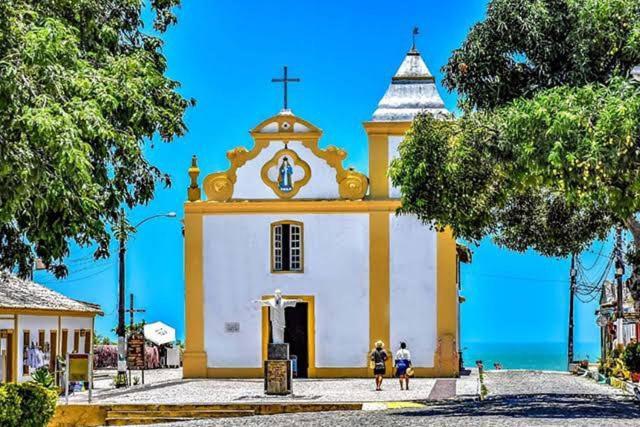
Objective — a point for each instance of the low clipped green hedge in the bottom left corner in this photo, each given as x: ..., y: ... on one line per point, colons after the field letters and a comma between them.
x: 26, y: 405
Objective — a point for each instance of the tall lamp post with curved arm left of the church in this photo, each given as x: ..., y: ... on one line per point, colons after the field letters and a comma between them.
x: 122, y: 364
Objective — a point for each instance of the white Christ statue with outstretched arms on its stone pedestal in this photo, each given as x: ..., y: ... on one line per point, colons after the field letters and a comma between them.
x: 278, y: 376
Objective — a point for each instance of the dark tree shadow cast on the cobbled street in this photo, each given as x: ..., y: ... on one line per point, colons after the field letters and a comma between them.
x: 542, y: 406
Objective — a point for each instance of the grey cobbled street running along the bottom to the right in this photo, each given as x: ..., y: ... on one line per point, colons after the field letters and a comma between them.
x: 516, y: 398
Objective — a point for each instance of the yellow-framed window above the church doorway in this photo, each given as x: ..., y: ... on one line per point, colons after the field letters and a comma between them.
x: 287, y: 247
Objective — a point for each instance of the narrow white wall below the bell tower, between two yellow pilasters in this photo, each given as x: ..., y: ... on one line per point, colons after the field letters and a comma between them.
x: 413, y: 282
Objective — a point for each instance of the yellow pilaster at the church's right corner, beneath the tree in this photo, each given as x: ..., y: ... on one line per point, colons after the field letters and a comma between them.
x: 446, y: 357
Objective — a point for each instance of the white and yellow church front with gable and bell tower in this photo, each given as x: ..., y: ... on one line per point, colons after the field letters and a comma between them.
x: 288, y: 215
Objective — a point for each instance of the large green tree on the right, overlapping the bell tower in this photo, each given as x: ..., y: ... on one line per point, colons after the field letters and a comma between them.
x: 546, y: 152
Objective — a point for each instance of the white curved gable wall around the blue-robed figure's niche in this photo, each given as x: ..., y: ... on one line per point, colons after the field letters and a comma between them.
x: 322, y: 185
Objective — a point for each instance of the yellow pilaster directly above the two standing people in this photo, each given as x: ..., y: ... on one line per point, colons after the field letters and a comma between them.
x: 379, y: 284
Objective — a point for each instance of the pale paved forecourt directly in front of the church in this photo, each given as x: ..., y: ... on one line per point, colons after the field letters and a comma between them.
x: 167, y: 386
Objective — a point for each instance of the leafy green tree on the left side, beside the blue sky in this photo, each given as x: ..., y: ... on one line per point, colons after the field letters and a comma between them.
x: 82, y: 92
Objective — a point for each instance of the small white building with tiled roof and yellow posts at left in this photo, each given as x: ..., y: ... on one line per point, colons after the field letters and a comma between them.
x: 37, y: 325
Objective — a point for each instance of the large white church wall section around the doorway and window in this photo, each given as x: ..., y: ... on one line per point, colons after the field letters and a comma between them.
x: 237, y: 270
